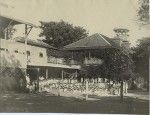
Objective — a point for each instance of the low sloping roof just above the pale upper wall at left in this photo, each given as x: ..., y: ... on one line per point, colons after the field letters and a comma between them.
x: 38, y: 43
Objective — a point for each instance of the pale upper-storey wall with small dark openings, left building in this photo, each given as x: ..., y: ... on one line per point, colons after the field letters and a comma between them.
x: 36, y: 55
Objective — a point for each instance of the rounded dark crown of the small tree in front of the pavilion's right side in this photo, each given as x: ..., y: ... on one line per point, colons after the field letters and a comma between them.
x: 119, y: 64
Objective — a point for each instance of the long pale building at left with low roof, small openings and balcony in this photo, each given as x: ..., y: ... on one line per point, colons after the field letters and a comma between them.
x: 37, y: 55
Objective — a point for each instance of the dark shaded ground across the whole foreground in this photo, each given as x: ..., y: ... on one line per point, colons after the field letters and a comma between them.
x: 48, y: 103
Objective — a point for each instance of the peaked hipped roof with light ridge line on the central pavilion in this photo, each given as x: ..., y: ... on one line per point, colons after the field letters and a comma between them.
x: 95, y: 41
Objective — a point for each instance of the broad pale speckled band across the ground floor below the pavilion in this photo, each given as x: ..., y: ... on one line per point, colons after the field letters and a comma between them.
x: 72, y: 85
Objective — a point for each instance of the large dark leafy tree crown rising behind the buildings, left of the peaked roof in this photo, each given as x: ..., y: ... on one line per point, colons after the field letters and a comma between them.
x: 59, y: 34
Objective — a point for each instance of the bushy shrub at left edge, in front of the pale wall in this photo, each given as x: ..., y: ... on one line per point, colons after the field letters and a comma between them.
x: 12, y: 78
